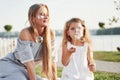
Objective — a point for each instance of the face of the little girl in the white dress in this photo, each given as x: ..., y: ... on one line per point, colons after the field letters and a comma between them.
x: 75, y: 30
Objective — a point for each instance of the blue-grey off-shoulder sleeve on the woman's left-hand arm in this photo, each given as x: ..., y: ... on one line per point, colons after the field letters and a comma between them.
x: 23, y: 51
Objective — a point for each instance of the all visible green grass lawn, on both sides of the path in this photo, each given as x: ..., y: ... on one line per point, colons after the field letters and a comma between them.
x: 98, y: 55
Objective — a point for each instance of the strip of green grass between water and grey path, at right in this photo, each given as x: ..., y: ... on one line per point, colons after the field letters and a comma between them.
x: 107, y: 56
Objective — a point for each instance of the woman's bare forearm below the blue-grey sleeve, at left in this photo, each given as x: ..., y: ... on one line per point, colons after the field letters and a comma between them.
x: 31, y: 70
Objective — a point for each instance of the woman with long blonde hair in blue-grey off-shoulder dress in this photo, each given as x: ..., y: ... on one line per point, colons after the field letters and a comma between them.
x: 34, y: 44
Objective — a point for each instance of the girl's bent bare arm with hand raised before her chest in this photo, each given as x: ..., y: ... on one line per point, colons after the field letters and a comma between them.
x: 66, y: 54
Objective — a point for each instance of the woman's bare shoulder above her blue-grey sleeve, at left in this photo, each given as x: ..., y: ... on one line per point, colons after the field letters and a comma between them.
x: 25, y: 34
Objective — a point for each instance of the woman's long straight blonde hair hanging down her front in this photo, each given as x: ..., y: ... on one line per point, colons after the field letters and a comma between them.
x: 46, y: 48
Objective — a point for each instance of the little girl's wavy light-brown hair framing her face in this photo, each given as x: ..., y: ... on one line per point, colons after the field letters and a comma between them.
x: 67, y: 38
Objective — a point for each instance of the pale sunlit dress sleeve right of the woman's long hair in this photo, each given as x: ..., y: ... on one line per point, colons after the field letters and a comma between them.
x: 54, y: 51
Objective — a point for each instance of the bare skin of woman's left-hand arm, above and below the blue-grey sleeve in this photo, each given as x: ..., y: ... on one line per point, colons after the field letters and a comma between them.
x: 30, y: 65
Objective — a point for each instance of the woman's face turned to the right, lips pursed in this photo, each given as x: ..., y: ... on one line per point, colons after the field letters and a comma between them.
x: 42, y: 17
